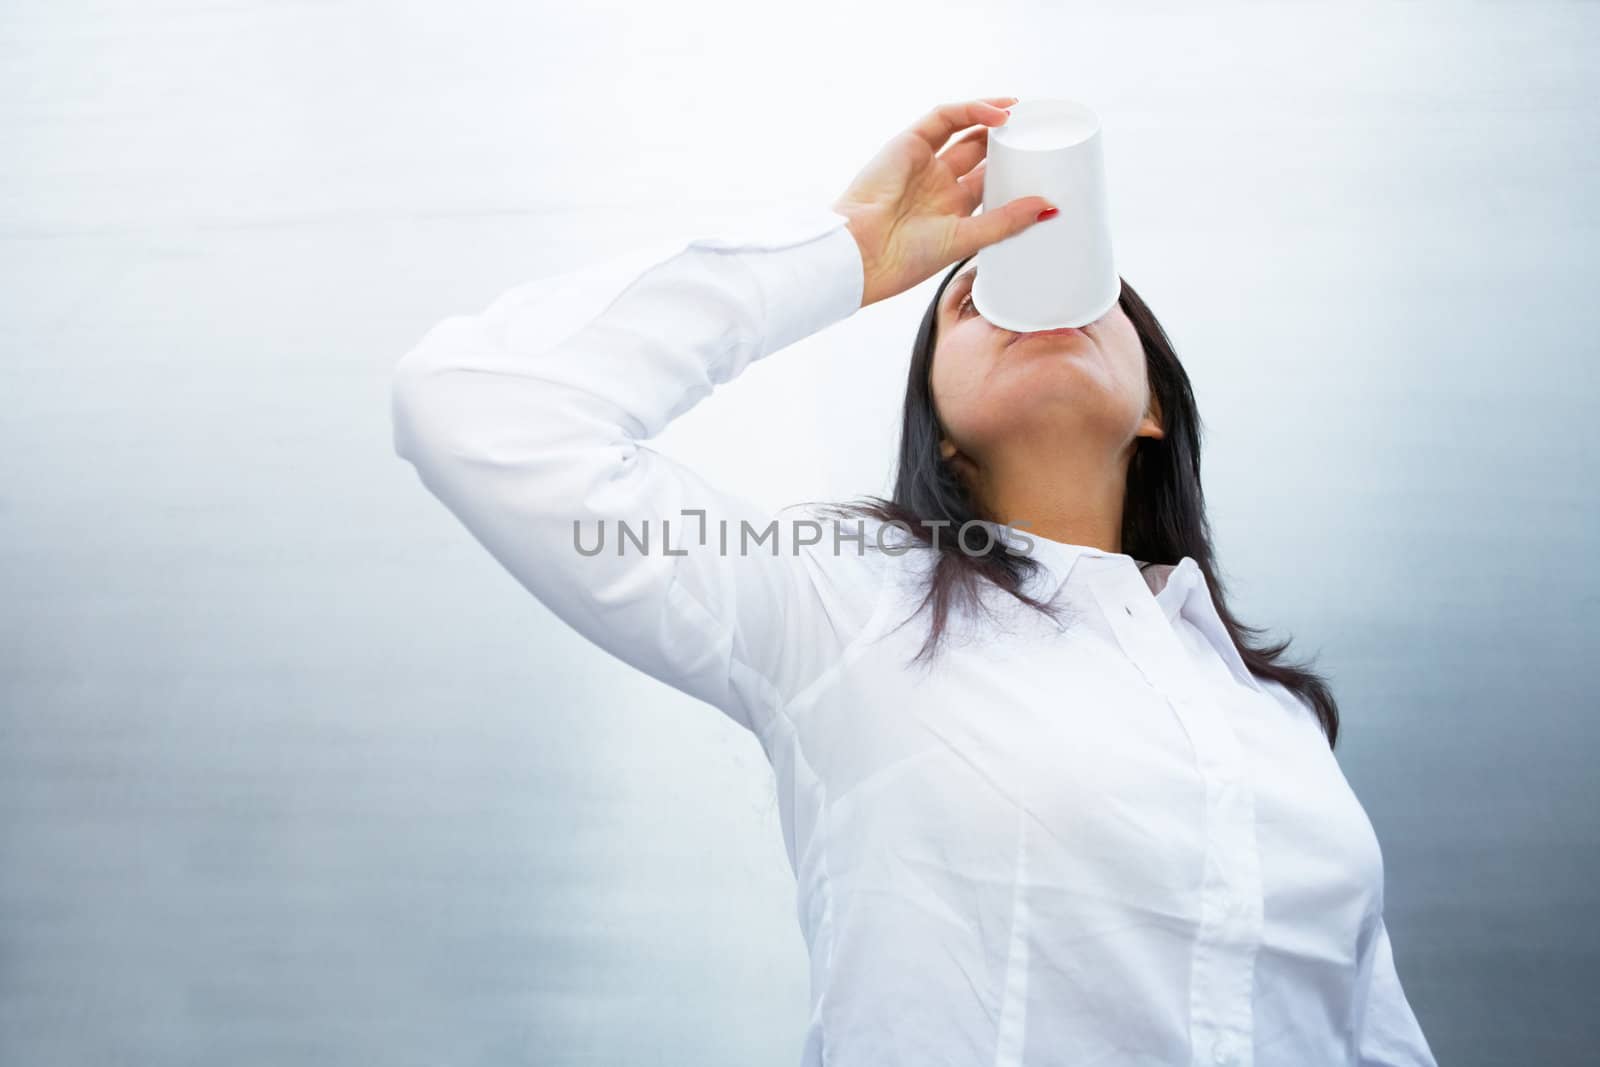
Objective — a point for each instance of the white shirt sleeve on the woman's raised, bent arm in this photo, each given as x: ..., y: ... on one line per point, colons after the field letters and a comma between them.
x: 529, y: 422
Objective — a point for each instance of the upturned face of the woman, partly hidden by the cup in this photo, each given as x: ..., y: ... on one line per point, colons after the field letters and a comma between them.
x: 993, y: 388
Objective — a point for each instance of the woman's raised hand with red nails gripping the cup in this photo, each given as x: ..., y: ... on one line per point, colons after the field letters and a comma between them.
x: 911, y: 207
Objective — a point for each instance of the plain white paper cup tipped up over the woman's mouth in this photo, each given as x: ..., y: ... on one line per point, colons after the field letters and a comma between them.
x: 1057, y: 273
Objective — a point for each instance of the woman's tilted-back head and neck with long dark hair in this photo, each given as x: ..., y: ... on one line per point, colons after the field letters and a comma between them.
x: 990, y: 409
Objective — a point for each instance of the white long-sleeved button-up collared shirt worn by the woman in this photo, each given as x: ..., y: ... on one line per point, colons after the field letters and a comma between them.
x: 1092, y: 842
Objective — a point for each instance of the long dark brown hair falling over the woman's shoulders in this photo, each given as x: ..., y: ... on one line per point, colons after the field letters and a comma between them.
x: 1164, y: 518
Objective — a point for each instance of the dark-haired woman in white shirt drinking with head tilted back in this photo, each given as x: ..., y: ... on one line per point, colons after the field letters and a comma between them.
x: 1074, y: 818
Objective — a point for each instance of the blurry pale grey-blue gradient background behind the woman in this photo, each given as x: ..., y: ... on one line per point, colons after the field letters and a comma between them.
x: 292, y: 772
